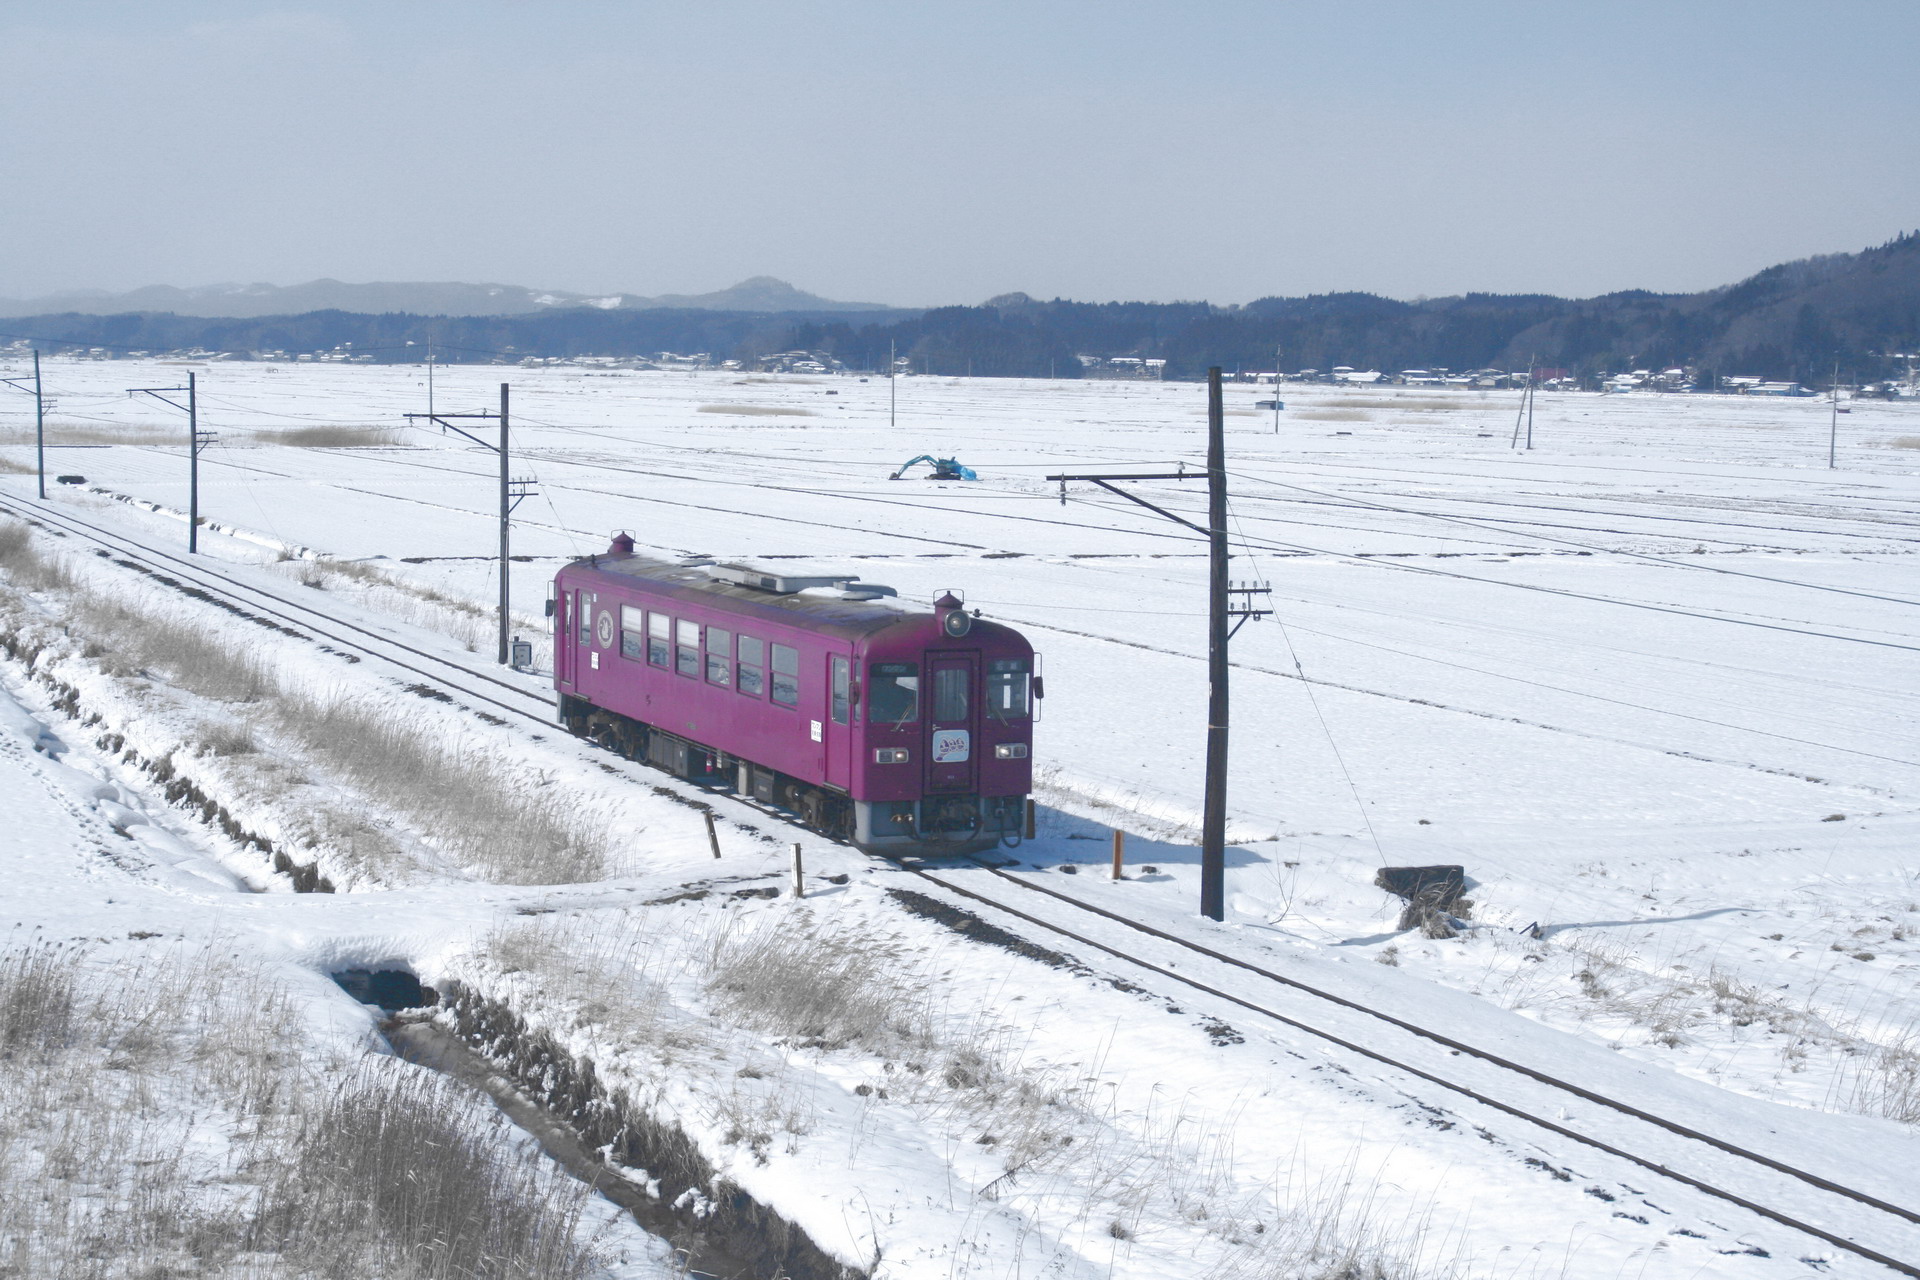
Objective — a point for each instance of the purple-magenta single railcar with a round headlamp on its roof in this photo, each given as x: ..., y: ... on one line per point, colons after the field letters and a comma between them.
x: 901, y: 732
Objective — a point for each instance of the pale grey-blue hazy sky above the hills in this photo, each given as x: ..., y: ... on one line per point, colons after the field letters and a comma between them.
x: 944, y: 153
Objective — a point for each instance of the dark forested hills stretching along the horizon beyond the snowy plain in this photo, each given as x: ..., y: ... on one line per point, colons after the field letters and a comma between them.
x: 1792, y: 321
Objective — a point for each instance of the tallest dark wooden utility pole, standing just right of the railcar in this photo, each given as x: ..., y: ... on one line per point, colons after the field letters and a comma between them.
x: 1222, y: 607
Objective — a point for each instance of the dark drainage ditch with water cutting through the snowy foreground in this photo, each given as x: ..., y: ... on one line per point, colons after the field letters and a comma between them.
x: 648, y: 1168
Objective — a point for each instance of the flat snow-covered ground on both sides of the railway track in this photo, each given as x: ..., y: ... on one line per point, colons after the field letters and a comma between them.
x: 1652, y: 684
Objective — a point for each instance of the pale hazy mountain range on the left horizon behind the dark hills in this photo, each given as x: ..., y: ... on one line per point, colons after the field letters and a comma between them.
x: 256, y: 300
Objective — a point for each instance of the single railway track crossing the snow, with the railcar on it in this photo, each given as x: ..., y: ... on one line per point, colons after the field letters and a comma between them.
x: 1863, y: 1225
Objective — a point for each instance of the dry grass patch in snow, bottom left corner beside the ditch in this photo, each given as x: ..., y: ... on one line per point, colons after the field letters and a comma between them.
x: 158, y: 1118
